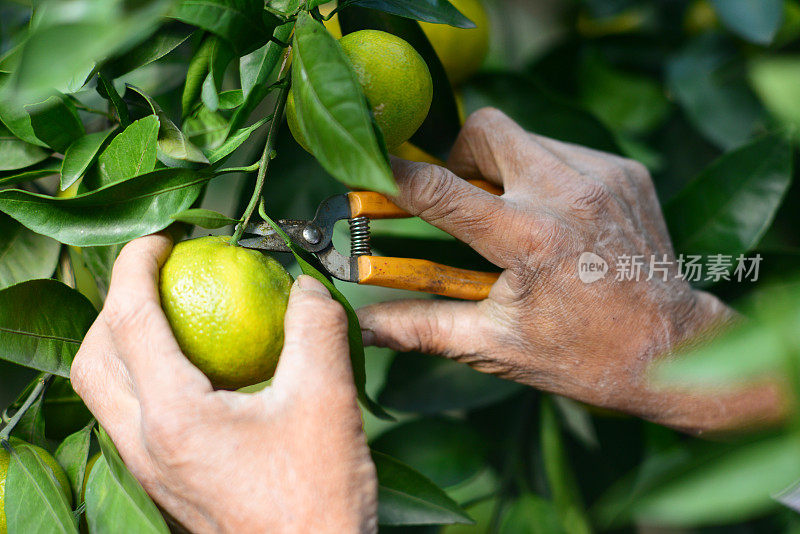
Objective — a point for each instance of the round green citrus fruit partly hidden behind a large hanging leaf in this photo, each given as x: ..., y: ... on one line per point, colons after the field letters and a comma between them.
x: 395, y: 80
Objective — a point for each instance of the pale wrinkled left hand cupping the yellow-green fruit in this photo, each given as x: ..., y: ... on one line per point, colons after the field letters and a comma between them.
x: 291, y: 458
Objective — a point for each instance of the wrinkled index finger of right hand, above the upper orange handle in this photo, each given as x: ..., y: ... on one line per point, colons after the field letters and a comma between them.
x: 459, y: 208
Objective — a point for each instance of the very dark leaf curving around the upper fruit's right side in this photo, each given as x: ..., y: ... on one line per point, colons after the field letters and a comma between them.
x: 438, y: 132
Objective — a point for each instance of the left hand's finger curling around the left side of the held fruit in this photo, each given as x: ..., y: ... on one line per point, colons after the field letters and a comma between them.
x: 139, y: 329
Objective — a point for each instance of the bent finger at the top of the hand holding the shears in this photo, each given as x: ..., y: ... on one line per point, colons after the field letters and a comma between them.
x: 494, y: 147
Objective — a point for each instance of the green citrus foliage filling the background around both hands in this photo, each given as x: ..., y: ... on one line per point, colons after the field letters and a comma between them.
x: 154, y: 107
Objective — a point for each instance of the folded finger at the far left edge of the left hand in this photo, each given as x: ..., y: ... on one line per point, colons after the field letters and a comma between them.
x: 101, y: 380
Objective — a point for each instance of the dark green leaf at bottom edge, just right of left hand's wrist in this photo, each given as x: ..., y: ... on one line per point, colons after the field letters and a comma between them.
x: 406, y: 497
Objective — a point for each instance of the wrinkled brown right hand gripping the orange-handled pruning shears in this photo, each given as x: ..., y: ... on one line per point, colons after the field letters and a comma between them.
x: 541, y: 325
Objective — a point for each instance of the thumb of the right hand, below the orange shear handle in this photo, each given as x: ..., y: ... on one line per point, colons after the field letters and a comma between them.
x: 445, y: 328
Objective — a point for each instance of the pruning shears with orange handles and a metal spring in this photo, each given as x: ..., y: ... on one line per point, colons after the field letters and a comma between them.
x: 361, y: 267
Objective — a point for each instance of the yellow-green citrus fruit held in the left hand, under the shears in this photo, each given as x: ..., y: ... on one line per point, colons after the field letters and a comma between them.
x: 226, y: 305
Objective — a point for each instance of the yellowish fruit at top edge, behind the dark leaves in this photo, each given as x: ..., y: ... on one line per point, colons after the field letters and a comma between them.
x: 461, y: 50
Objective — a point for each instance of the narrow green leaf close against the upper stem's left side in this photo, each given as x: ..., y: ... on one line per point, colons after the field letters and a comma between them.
x: 257, y: 70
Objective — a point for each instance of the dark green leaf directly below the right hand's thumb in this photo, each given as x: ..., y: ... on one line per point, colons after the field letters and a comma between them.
x: 428, y: 384
